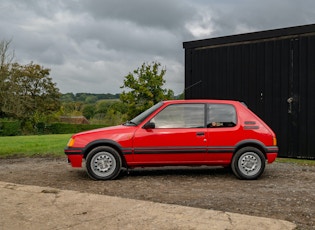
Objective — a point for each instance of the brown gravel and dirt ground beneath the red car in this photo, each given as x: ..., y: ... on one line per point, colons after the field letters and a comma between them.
x: 285, y: 191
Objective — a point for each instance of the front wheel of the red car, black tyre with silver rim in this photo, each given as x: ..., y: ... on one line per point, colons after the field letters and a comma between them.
x: 103, y: 163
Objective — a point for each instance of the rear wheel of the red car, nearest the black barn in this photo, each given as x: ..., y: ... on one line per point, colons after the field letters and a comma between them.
x: 248, y: 163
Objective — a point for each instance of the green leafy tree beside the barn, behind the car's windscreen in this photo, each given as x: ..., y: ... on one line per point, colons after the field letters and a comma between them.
x: 145, y: 88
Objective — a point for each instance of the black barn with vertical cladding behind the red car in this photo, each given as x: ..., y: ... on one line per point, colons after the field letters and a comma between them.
x: 273, y: 72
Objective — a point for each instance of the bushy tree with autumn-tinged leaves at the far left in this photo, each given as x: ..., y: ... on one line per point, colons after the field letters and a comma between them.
x: 30, y: 94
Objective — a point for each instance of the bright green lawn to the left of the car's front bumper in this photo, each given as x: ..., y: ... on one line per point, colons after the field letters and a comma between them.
x: 27, y: 146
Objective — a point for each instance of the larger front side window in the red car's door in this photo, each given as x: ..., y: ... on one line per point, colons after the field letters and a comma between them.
x: 181, y: 116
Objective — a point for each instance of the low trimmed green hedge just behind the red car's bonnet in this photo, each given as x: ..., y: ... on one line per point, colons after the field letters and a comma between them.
x: 64, y: 128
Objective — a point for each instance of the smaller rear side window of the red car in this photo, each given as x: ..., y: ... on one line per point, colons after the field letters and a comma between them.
x: 220, y: 115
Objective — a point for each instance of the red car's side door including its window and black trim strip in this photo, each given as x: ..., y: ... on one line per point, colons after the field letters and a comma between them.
x: 176, y: 136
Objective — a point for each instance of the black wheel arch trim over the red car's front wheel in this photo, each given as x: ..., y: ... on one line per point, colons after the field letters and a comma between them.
x: 105, y: 142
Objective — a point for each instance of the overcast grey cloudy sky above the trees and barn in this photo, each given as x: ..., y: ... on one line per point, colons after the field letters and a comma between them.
x: 90, y: 45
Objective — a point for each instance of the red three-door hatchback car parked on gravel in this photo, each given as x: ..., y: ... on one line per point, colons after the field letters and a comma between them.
x: 179, y: 132
